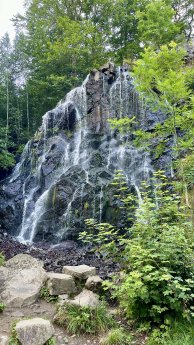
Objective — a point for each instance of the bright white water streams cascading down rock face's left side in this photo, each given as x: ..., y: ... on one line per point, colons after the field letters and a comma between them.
x: 30, y: 221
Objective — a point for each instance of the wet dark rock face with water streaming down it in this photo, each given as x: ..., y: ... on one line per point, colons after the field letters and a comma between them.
x: 65, y: 172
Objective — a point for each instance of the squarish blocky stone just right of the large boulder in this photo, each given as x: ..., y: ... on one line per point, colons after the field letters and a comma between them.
x: 59, y: 284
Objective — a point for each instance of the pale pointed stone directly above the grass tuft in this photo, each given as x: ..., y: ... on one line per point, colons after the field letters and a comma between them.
x: 86, y: 298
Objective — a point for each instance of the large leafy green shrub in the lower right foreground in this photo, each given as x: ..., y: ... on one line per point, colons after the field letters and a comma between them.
x: 156, y: 255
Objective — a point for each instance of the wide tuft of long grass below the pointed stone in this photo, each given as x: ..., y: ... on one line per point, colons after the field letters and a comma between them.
x: 78, y: 320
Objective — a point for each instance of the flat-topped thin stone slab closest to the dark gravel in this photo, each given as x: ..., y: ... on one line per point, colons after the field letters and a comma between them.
x: 80, y: 272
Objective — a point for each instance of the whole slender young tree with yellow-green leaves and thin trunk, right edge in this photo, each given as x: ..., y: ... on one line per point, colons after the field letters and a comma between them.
x: 162, y: 77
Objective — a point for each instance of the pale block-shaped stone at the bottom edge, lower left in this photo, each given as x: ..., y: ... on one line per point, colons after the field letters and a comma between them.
x: 34, y: 332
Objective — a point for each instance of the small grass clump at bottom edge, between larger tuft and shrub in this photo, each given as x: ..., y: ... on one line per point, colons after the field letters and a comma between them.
x: 117, y: 336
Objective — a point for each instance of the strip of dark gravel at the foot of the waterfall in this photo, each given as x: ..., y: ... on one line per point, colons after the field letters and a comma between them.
x: 55, y: 257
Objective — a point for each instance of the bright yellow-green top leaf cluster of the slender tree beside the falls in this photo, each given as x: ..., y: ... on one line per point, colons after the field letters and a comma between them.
x: 162, y: 71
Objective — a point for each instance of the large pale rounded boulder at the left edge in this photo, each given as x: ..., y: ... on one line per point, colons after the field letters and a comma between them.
x: 24, y: 278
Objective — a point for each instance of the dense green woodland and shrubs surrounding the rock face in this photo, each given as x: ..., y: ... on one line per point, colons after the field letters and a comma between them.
x: 56, y: 44
